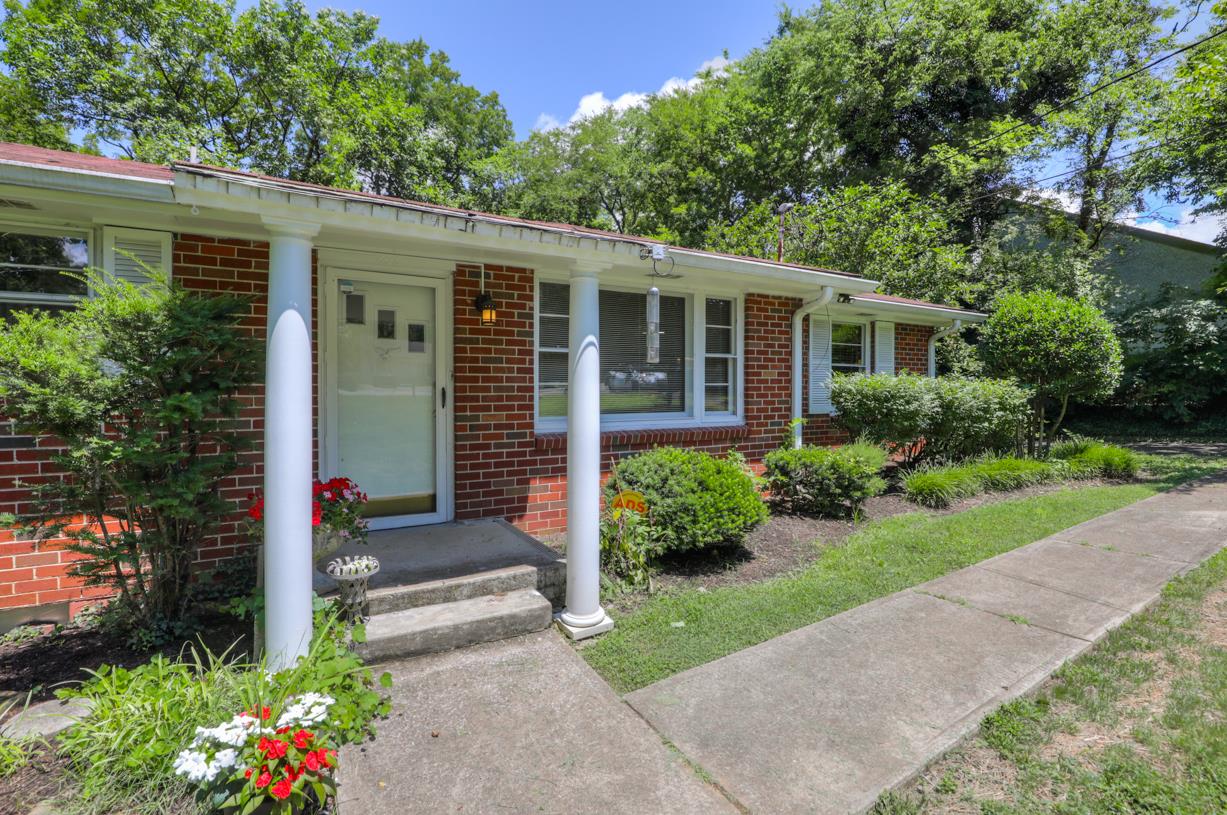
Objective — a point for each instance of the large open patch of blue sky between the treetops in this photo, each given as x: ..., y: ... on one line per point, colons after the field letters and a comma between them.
x: 545, y: 57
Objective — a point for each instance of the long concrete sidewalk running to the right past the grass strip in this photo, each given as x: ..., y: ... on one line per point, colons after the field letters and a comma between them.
x: 825, y: 719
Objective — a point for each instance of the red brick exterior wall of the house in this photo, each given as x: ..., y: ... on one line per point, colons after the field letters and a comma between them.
x: 502, y: 467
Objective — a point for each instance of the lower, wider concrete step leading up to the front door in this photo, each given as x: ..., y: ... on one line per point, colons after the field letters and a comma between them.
x: 444, y: 627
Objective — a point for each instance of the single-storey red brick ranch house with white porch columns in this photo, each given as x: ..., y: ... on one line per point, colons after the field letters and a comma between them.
x: 382, y: 368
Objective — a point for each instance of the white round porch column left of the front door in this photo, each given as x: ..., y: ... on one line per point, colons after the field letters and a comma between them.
x: 288, y: 446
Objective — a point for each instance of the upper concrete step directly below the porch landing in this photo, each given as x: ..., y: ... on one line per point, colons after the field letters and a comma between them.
x: 549, y: 580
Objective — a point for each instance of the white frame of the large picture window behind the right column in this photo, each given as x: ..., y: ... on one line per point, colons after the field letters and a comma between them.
x: 696, y: 314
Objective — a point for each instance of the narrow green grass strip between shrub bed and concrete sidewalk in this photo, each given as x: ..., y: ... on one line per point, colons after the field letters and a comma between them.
x: 882, y: 559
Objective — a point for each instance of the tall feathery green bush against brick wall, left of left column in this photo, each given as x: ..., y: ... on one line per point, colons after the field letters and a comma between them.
x: 142, y: 386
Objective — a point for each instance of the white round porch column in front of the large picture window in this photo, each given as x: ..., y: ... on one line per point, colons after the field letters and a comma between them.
x: 585, y: 616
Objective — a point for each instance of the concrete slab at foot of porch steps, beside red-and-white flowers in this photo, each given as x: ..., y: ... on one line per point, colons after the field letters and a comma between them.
x: 521, y: 726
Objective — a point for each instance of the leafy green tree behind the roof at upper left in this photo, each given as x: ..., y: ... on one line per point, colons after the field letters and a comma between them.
x: 274, y: 89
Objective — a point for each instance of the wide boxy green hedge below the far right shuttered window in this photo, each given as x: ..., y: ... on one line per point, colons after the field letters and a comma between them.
x: 928, y: 418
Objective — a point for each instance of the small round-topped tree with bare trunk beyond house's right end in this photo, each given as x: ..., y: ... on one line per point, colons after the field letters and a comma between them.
x: 1058, y: 347
